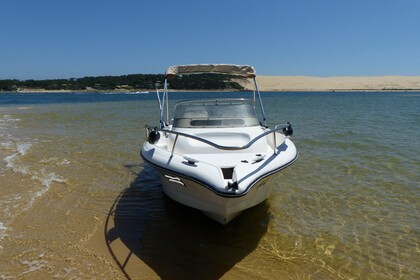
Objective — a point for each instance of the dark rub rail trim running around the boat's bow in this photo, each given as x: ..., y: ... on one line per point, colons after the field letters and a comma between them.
x: 222, y: 194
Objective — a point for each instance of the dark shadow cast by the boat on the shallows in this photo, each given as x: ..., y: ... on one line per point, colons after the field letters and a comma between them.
x: 173, y: 240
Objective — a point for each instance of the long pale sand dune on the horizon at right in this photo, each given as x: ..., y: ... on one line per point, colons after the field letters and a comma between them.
x: 306, y: 83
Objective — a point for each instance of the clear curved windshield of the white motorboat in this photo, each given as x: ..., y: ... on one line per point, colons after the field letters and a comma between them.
x: 215, y: 113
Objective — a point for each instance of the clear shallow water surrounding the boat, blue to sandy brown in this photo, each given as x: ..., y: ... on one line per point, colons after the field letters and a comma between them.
x: 78, y: 202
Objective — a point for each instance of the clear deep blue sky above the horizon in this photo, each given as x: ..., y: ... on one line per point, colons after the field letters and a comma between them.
x: 75, y: 38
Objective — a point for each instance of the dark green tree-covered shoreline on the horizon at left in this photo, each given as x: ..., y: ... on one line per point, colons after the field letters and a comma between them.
x: 126, y: 83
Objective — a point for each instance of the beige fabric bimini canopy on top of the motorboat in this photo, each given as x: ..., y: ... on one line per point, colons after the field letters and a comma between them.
x: 231, y: 69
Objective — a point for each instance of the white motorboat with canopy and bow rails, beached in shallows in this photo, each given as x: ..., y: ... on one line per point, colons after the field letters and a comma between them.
x: 216, y: 155
